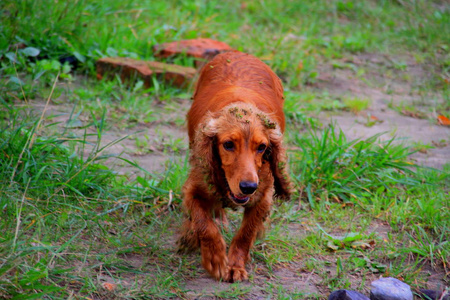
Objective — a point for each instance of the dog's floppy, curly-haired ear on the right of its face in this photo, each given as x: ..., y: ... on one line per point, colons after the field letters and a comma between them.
x: 276, y: 155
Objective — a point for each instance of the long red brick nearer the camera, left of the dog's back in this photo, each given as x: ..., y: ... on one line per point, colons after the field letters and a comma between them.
x: 129, y: 68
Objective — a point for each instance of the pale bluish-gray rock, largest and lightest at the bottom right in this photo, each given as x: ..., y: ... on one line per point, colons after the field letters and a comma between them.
x: 390, y: 289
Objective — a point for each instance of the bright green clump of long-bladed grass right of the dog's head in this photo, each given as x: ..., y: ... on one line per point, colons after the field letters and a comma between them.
x: 329, y: 166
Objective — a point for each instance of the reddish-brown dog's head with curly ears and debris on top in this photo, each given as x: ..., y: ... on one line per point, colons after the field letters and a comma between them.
x: 233, y: 144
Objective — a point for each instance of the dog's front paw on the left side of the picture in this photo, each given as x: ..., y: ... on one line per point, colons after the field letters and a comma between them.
x: 215, y: 261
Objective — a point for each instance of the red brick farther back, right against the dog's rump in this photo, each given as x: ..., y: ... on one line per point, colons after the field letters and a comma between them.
x: 204, y: 49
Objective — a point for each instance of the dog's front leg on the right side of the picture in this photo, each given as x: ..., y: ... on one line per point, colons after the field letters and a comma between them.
x: 239, y: 253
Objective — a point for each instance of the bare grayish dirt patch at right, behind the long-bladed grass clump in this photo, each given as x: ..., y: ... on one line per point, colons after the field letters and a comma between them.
x: 388, y: 97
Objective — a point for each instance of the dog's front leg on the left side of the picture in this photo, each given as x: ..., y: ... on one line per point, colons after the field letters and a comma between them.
x: 212, y: 244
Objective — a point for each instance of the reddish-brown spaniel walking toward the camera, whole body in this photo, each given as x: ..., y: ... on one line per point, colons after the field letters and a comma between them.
x: 237, y: 159
